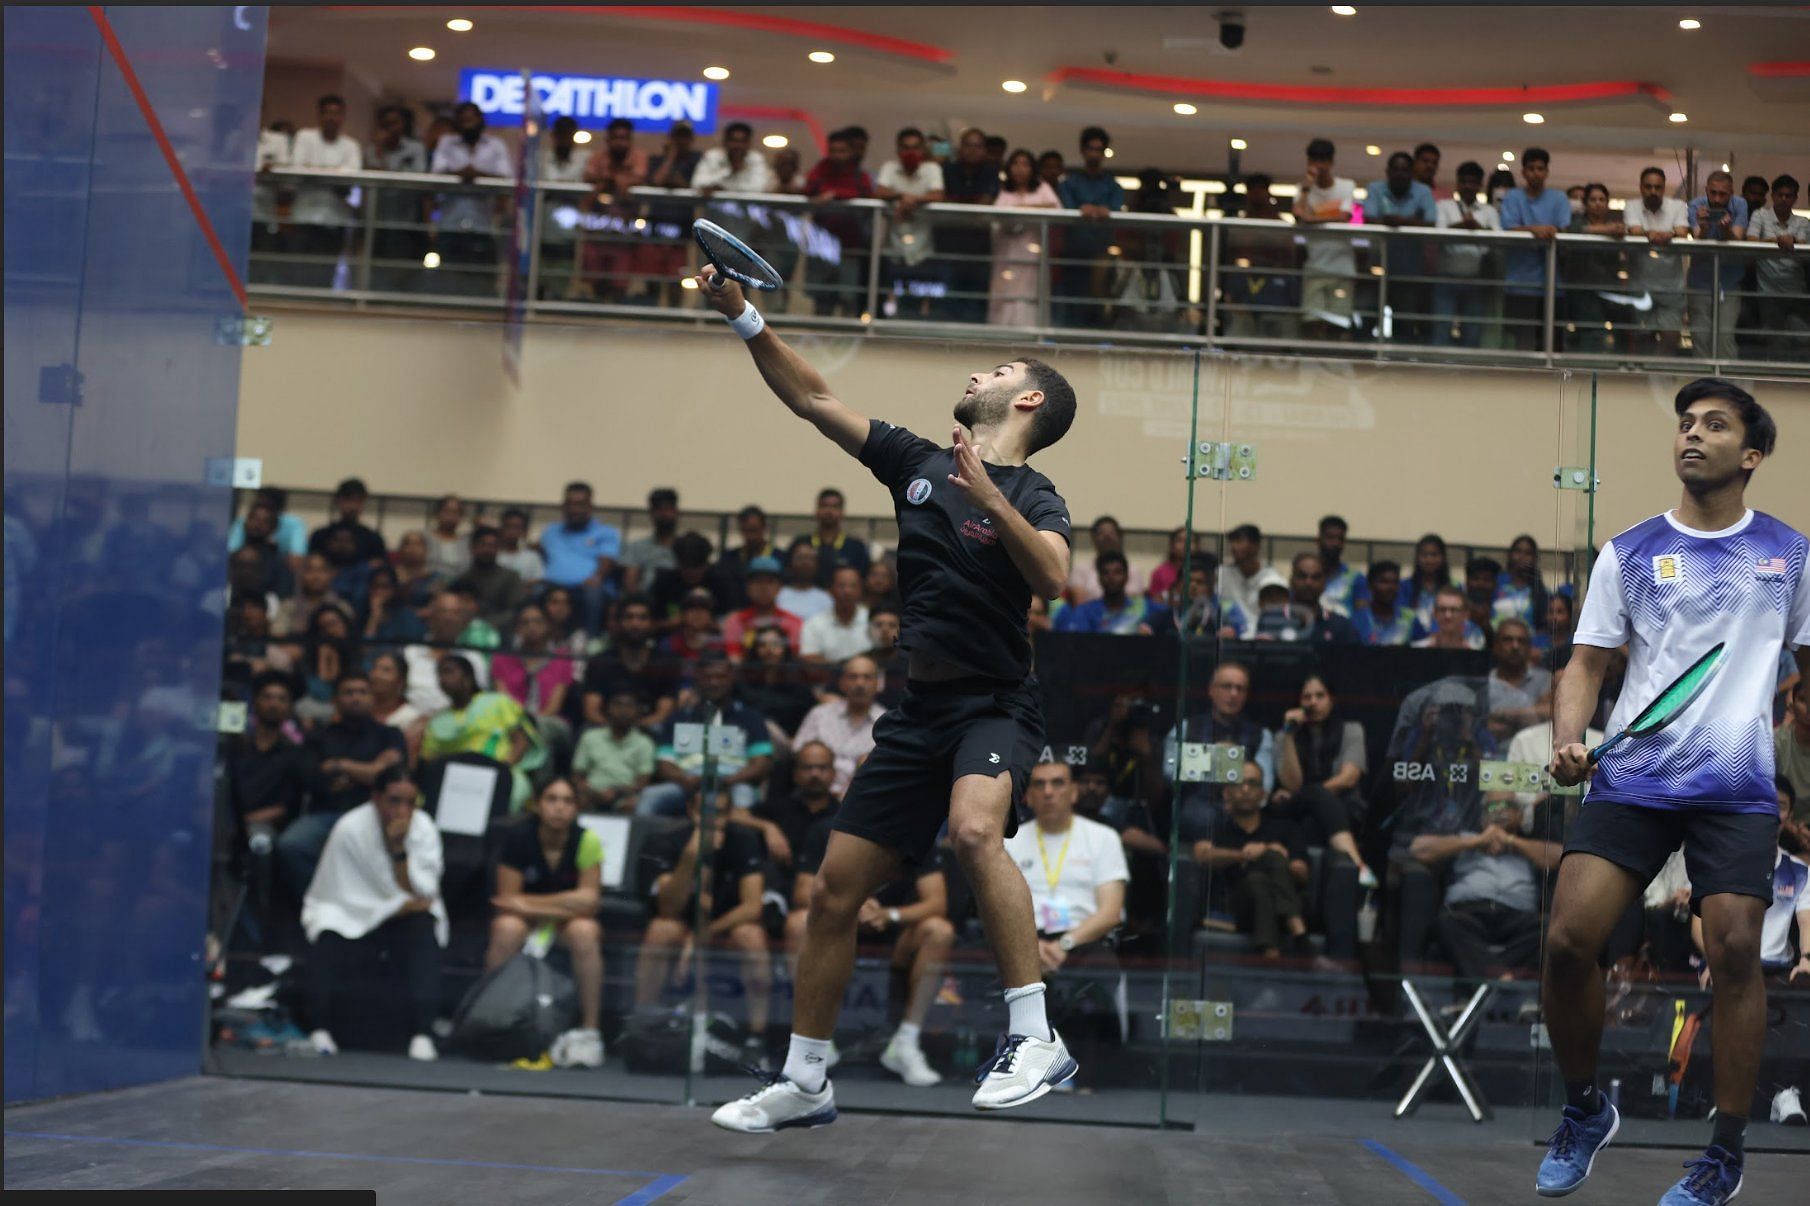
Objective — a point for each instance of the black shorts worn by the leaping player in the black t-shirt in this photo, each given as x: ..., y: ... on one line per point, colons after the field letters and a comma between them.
x: 938, y: 734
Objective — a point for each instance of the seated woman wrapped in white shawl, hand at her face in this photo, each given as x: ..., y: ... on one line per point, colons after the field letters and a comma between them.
x: 377, y: 890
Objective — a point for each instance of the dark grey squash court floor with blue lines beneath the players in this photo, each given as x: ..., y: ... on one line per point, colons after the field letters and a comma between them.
x: 430, y: 1149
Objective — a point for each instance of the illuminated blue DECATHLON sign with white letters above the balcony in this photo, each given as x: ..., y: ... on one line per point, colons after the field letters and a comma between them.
x: 595, y: 100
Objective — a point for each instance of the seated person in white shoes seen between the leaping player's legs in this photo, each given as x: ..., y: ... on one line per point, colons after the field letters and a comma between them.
x: 911, y: 914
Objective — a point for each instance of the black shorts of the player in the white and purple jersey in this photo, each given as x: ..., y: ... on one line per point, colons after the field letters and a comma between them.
x: 1724, y: 852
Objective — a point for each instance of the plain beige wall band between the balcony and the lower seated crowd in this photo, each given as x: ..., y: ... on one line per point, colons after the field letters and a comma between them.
x: 423, y: 407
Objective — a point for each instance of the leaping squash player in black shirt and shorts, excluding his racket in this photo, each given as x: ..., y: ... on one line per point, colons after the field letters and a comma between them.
x: 980, y: 531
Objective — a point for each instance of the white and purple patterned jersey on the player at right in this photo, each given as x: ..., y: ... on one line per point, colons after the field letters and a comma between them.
x: 1670, y: 595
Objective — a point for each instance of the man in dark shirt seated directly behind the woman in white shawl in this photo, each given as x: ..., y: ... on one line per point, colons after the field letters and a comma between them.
x: 350, y: 754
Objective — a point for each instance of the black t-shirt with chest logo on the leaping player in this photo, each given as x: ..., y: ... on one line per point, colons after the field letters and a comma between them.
x: 966, y: 602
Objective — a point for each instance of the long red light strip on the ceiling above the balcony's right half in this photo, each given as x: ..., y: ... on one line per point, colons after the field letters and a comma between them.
x: 1320, y: 95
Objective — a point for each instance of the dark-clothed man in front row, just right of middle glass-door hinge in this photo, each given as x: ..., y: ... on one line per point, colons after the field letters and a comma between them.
x: 1261, y: 865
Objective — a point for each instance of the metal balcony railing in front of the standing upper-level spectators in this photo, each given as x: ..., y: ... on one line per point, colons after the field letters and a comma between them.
x: 1362, y: 291
